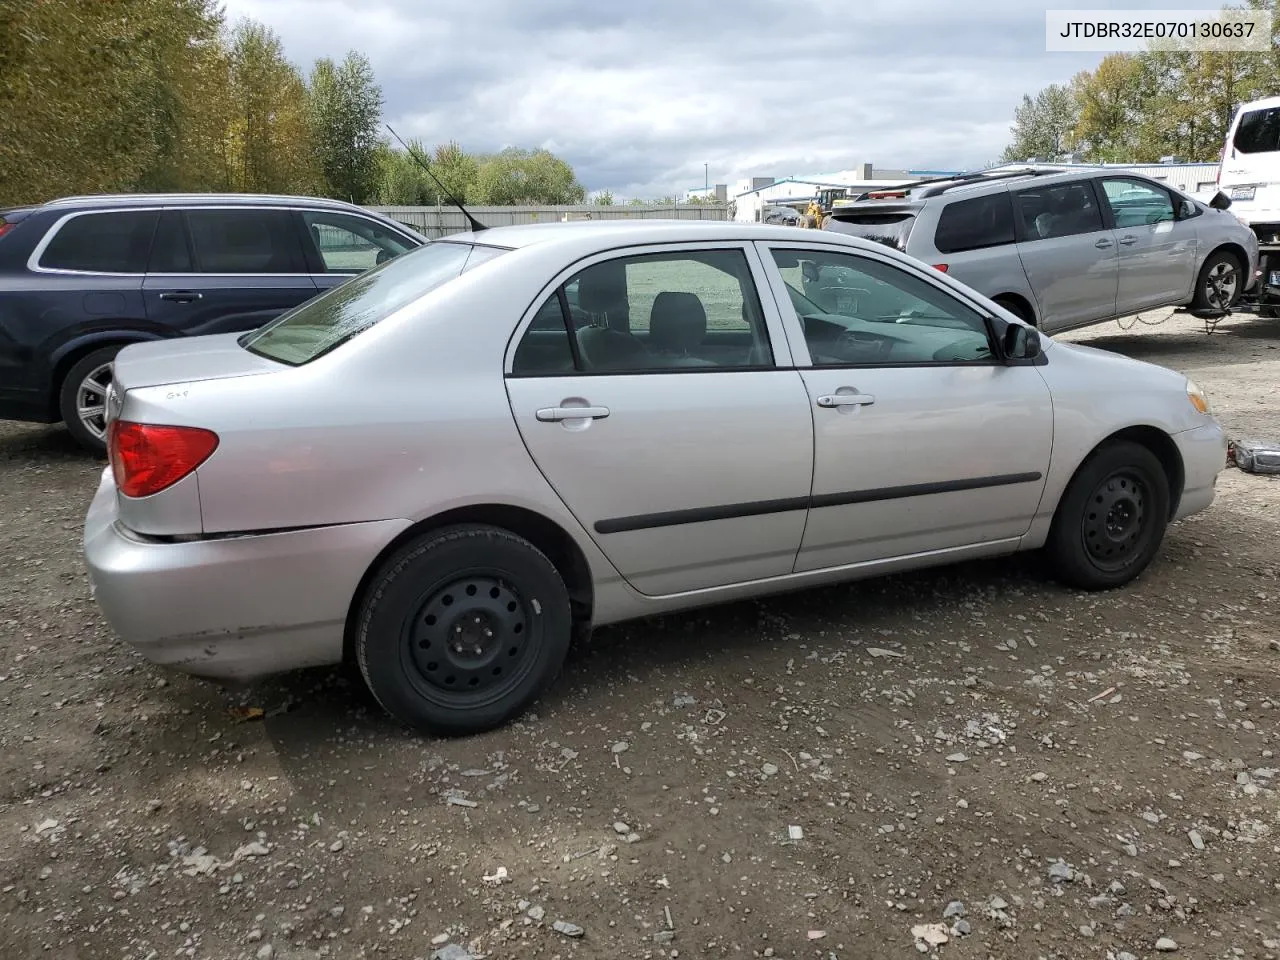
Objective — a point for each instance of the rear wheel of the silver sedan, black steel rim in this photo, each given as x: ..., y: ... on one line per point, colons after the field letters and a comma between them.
x: 463, y: 629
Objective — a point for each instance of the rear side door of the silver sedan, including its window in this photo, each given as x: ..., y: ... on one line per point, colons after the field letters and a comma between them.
x: 648, y: 391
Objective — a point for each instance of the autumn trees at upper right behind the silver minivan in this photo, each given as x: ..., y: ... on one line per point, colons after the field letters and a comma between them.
x: 1140, y: 108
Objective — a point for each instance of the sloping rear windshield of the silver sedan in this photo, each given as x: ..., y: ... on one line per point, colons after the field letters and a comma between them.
x: 330, y: 321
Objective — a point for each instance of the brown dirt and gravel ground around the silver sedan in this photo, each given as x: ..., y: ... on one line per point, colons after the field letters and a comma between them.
x: 1076, y: 776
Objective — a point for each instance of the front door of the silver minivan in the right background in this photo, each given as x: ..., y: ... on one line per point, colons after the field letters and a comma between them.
x: 1158, y: 252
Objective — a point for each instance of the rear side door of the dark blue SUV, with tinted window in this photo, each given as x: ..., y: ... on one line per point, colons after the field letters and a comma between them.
x: 226, y: 269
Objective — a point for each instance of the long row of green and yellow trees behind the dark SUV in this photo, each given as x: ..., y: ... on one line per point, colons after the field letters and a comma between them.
x: 164, y: 95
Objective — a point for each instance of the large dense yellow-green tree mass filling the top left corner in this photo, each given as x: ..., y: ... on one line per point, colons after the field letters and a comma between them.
x: 99, y: 97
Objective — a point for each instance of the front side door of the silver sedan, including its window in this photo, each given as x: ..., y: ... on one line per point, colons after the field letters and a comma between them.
x: 924, y: 441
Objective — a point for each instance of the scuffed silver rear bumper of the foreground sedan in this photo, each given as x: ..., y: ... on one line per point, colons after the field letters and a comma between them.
x: 236, y: 609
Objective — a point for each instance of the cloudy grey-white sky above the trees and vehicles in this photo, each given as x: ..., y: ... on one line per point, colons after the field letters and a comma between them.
x: 638, y: 95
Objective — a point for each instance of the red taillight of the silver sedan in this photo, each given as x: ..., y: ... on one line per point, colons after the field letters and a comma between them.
x: 147, y: 458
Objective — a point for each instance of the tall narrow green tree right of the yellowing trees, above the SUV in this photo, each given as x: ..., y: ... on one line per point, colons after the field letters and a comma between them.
x: 346, y: 108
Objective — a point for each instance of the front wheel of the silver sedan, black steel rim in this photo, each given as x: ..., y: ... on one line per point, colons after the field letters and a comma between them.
x: 1112, y: 520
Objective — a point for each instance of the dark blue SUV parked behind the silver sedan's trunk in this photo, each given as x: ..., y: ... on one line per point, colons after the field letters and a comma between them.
x: 83, y: 277
